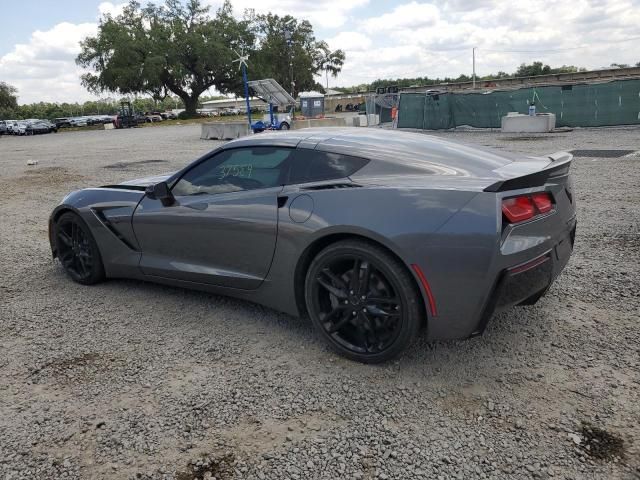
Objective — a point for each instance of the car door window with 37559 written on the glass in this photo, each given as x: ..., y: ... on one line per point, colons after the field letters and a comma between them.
x: 236, y: 170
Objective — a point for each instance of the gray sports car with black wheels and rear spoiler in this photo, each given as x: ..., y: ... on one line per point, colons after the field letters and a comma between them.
x: 371, y: 233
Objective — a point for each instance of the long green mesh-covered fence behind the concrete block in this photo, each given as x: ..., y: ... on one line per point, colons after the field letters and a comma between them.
x: 614, y: 103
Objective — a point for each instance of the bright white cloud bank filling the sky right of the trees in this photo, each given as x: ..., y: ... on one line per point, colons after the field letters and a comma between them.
x: 438, y: 37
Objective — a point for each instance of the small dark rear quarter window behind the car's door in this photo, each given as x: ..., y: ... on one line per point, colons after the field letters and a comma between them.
x: 314, y: 166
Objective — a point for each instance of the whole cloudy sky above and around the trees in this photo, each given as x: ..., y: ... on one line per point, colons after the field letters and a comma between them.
x: 39, y: 39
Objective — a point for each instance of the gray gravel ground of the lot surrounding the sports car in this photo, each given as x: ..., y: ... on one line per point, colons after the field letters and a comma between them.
x: 134, y: 380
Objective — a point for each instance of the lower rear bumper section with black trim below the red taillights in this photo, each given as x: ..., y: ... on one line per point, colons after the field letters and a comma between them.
x: 525, y: 283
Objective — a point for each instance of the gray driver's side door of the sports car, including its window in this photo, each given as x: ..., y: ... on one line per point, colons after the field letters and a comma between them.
x: 223, y: 225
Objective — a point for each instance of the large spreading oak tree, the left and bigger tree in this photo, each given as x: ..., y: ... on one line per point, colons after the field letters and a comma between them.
x: 175, y: 47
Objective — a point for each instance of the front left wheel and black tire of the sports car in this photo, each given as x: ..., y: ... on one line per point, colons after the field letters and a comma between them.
x: 77, y: 250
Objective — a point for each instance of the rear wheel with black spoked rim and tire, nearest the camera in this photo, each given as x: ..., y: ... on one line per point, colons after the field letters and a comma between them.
x: 379, y: 318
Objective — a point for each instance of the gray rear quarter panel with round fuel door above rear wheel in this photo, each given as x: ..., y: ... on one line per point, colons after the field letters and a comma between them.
x: 403, y: 220
